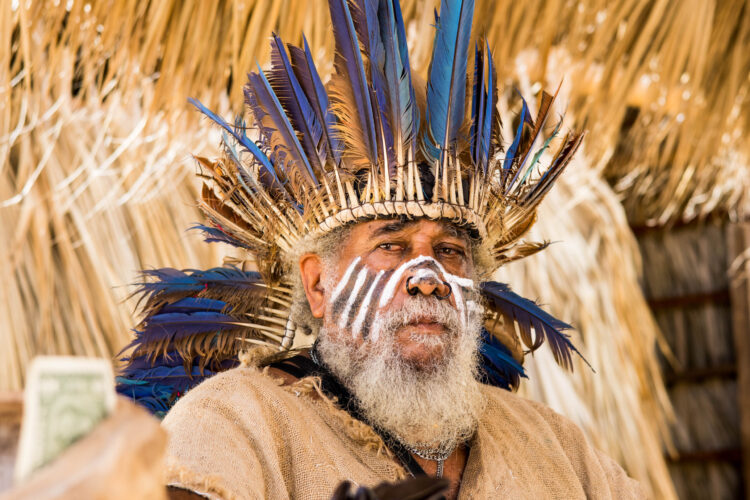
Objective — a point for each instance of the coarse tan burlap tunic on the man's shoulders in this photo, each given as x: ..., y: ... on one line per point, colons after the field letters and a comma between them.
x: 243, y: 435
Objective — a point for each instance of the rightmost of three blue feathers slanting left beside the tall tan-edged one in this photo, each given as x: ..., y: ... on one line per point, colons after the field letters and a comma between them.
x: 309, y: 79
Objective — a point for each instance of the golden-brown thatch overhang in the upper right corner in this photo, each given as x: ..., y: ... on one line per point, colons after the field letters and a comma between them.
x: 663, y: 86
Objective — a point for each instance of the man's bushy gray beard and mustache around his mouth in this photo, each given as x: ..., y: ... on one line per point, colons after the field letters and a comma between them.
x: 435, y: 406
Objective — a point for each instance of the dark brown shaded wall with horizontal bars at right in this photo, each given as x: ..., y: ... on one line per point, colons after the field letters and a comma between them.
x: 687, y: 284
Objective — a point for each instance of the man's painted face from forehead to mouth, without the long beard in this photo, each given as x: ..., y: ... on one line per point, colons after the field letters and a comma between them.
x: 411, y: 277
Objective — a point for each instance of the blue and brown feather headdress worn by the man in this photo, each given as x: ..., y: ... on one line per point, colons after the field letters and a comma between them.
x: 358, y: 148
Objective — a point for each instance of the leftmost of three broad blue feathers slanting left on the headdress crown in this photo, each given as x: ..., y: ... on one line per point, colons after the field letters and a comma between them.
x: 267, y: 99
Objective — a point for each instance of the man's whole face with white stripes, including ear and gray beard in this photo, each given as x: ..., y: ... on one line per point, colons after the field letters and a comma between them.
x: 401, y: 327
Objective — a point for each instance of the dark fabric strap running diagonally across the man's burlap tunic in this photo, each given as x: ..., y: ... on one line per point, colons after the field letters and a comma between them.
x: 301, y: 366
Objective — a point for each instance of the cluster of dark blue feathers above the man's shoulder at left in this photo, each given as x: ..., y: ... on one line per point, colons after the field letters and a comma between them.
x: 158, y: 371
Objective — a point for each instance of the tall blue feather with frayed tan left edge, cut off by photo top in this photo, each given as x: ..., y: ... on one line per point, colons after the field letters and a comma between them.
x: 349, y: 65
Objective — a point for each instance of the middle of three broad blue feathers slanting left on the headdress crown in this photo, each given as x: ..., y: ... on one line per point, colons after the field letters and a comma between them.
x: 298, y: 107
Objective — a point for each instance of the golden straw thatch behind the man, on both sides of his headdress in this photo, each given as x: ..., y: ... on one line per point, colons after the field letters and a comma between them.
x: 95, y: 182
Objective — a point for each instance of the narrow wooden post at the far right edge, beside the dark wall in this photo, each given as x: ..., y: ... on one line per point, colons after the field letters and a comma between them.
x: 738, y: 248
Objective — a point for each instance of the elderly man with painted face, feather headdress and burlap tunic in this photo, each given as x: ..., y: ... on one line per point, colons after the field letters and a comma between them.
x: 390, y: 354
